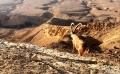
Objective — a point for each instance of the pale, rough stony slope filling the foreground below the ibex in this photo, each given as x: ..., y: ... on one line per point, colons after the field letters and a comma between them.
x: 25, y: 58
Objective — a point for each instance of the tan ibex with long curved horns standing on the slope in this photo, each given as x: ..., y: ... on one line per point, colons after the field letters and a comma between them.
x: 78, y: 43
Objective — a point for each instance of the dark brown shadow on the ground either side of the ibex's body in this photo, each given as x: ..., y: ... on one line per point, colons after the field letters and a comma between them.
x: 66, y: 46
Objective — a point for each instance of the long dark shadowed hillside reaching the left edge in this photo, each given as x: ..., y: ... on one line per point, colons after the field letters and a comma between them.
x: 21, y: 21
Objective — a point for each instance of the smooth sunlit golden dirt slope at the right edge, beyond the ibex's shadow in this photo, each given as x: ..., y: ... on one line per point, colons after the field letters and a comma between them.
x: 111, y: 38
